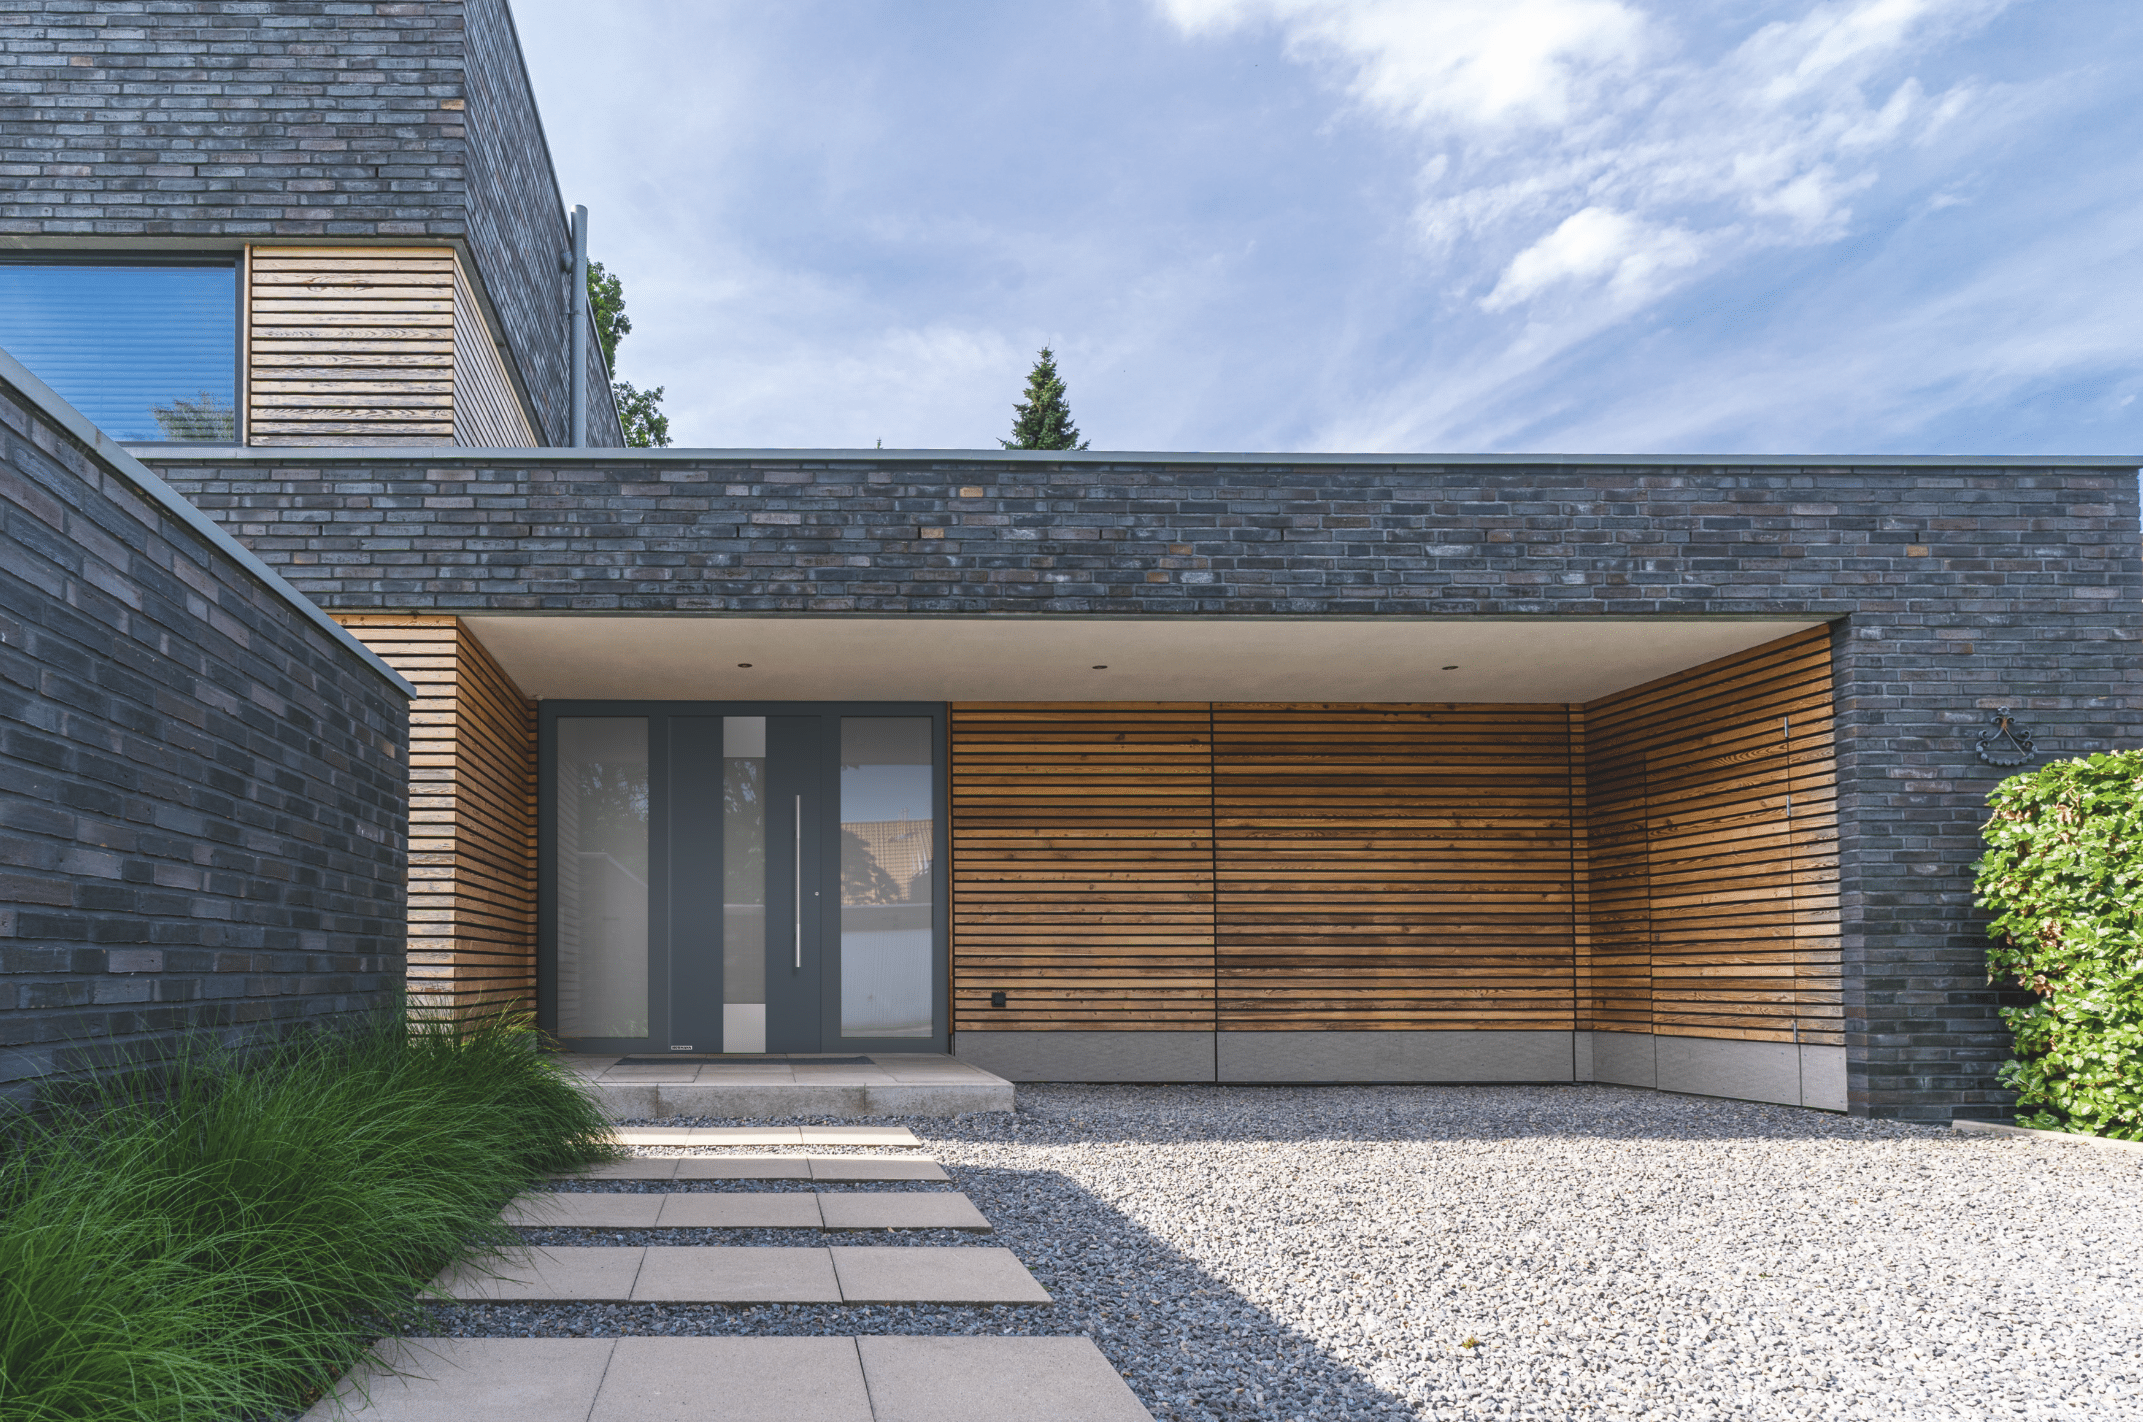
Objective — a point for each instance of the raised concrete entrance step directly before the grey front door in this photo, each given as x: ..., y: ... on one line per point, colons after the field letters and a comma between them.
x: 777, y: 1087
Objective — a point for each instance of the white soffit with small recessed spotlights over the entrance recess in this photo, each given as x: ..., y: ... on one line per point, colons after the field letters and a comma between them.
x: 1006, y: 659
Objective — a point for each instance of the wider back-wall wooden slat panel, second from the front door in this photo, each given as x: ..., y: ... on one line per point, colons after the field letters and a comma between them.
x: 1394, y: 866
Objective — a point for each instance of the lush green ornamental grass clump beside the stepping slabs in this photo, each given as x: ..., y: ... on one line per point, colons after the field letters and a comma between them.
x: 224, y: 1237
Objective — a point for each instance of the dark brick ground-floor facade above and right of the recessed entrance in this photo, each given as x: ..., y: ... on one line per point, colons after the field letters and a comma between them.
x: 1958, y: 588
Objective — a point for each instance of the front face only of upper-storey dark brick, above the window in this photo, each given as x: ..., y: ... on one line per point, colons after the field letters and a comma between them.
x: 233, y: 119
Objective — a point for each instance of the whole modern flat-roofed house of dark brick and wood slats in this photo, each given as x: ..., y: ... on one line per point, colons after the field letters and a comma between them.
x: 1113, y: 768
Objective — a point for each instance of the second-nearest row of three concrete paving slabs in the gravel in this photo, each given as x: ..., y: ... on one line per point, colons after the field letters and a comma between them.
x: 745, y: 1275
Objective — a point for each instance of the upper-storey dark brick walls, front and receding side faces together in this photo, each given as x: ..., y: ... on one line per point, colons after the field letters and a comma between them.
x: 293, y: 119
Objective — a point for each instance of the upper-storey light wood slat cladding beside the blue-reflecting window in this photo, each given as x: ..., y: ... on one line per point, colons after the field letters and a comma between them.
x: 372, y: 346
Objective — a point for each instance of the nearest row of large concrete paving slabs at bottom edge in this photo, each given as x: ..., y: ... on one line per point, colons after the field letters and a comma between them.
x: 734, y: 1380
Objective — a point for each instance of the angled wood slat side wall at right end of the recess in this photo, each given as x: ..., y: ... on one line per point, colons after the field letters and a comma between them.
x: 1715, y: 851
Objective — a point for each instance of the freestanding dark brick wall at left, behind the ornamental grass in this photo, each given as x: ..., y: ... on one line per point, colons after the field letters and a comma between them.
x: 203, y: 793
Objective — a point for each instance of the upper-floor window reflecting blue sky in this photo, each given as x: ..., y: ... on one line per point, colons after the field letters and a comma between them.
x: 145, y: 350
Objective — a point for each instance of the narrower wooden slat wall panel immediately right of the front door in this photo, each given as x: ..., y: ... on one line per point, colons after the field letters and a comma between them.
x: 1083, y: 866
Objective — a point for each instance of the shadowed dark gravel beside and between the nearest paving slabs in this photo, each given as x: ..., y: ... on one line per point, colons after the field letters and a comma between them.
x: 1188, y: 1344
